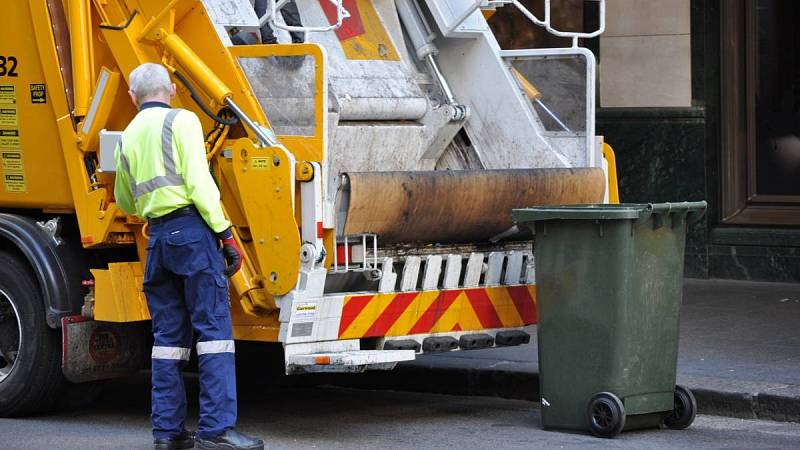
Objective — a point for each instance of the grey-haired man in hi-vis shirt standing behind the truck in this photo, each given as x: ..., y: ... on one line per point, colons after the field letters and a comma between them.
x: 163, y: 176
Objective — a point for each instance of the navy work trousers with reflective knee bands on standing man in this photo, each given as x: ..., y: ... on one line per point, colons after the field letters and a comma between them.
x: 187, y: 292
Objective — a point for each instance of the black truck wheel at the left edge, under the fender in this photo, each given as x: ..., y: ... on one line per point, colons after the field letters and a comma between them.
x: 30, y: 351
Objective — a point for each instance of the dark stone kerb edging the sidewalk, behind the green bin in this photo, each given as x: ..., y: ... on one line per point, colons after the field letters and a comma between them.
x: 715, y: 396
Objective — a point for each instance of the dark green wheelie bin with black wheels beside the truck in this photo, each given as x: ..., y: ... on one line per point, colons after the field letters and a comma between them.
x: 609, y: 287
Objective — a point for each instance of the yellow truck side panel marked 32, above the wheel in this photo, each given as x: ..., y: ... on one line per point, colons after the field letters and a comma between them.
x: 31, y: 169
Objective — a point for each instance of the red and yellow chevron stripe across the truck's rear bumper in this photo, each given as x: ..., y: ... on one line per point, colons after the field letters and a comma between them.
x: 405, y: 313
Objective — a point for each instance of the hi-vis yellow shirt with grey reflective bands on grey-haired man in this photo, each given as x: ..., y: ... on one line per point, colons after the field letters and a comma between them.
x: 161, y: 166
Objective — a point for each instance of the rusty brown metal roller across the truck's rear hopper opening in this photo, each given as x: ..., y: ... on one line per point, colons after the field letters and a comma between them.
x: 454, y: 206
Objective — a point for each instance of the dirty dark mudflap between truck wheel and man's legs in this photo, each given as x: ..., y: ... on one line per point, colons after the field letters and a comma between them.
x: 100, y: 350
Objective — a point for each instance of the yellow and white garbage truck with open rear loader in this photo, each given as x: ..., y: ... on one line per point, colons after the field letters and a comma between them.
x: 369, y: 175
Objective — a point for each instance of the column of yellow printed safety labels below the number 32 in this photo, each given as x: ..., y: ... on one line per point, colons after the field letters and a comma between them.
x: 11, y: 159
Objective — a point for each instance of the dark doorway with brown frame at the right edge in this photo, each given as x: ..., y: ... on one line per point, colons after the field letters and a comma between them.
x: 760, y: 112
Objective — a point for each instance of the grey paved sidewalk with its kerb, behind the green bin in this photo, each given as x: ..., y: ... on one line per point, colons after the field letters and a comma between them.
x: 739, y: 353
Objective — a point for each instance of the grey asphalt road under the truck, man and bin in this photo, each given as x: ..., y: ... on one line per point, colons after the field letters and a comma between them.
x: 334, y: 418
